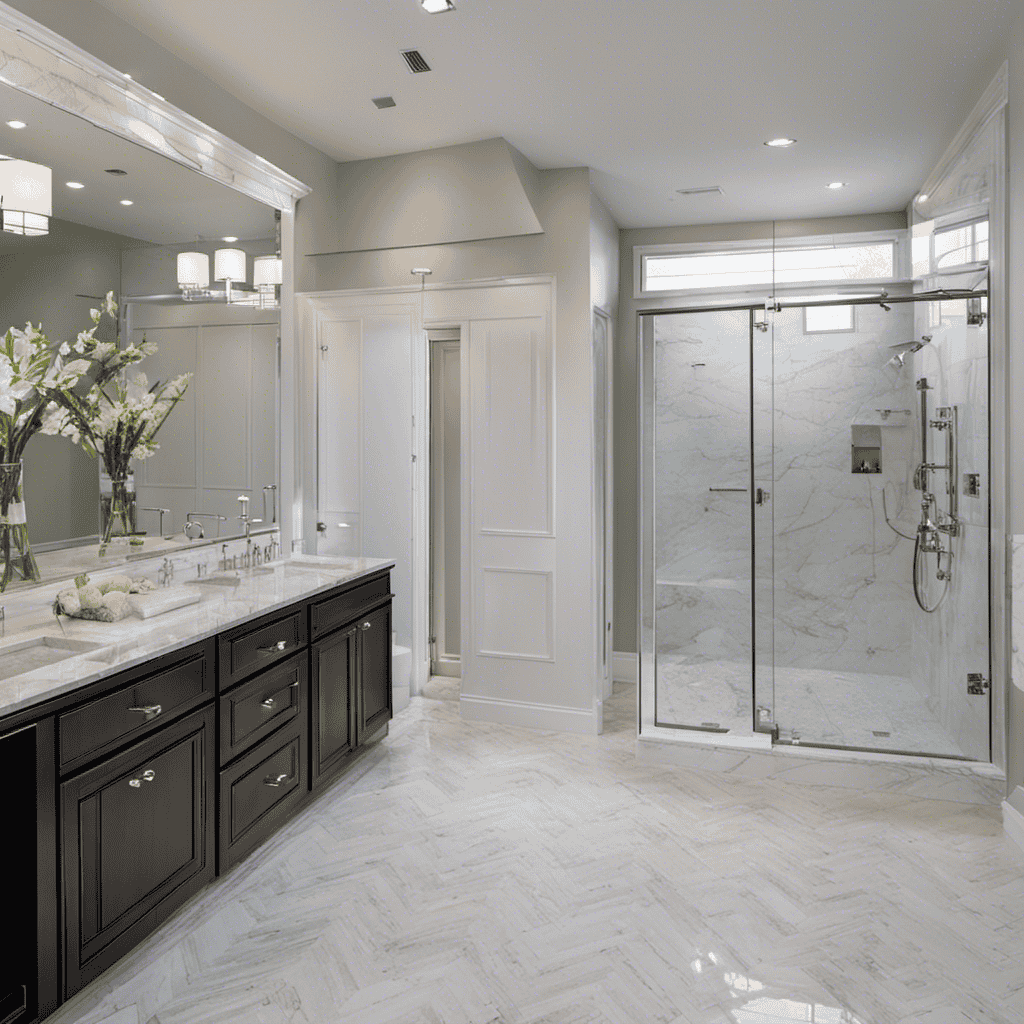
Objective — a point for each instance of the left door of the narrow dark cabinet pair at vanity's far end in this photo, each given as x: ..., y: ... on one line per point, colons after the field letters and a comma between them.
x: 334, y: 673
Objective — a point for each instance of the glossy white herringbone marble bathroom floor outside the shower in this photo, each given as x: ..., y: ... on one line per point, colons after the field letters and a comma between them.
x: 475, y: 874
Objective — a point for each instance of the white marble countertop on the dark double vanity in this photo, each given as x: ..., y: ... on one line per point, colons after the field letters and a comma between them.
x: 132, y: 642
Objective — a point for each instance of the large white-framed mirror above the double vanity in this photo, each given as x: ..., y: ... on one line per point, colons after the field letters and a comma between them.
x: 121, y: 214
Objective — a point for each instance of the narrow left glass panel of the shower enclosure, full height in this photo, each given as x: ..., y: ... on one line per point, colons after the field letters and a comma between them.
x: 698, y: 416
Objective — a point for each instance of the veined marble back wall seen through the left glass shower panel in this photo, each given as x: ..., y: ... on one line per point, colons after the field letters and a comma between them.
x: 702, y: 441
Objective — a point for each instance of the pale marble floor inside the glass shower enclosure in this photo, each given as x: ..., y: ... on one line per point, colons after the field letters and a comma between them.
x: 846, y: 709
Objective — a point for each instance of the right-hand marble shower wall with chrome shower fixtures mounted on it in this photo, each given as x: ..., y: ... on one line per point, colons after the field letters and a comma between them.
x: 955, y: 639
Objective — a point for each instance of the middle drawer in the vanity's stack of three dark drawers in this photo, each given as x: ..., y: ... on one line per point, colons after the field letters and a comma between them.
x: 251, y: 712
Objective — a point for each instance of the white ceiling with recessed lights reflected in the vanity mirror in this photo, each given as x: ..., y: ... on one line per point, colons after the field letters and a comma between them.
x: 172, y: 204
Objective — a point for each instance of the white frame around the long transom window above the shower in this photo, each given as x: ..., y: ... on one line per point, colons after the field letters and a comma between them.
x: 898, y: 237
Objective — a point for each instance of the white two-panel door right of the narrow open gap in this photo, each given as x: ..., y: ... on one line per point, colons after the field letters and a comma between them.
x: 513, y: 645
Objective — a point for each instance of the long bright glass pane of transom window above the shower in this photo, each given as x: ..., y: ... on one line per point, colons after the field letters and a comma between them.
x: 755, y: 267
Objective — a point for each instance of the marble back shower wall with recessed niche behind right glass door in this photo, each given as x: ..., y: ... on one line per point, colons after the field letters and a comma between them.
x: 842, y: 576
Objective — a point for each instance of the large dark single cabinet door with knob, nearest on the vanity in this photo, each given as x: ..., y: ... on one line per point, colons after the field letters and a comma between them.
x: 139, y: 841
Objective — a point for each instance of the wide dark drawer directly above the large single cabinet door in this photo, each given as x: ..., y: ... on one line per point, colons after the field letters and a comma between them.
x: 134, y: 711
